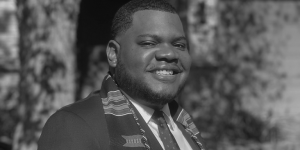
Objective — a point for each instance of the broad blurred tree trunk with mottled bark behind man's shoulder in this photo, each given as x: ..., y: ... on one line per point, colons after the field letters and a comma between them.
x: 47, y: 59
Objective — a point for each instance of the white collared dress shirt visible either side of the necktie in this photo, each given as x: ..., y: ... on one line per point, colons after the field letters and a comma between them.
x: 147, y: 113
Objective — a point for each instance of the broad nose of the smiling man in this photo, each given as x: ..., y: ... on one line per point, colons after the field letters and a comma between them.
x: 167, y: 53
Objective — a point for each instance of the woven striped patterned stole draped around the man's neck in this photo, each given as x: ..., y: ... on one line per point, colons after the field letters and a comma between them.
x: 128, y: 130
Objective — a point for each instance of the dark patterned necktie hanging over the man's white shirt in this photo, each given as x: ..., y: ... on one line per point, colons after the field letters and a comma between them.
x: 164, y: 132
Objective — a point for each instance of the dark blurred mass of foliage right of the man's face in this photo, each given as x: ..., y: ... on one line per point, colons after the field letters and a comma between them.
x: 233, y: 72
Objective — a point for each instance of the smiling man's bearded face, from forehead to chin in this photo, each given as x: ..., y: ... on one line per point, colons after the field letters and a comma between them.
x: 153, y: 60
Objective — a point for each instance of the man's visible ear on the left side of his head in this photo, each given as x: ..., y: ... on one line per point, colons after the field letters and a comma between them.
x: 112, y: 50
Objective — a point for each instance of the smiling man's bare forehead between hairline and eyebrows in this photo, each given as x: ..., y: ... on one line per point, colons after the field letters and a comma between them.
x: 156, y: 22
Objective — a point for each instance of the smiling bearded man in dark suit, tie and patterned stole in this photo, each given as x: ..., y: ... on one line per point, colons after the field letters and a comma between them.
x: 135, y: 108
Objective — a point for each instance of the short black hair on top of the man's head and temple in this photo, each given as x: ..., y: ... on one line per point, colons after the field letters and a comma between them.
x: 123, y: 17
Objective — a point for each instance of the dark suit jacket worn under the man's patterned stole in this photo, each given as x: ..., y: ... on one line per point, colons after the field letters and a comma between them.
x: 82, y: 126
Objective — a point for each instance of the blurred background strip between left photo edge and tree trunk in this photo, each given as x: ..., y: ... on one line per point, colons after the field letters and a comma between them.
x: 8, y: 76
